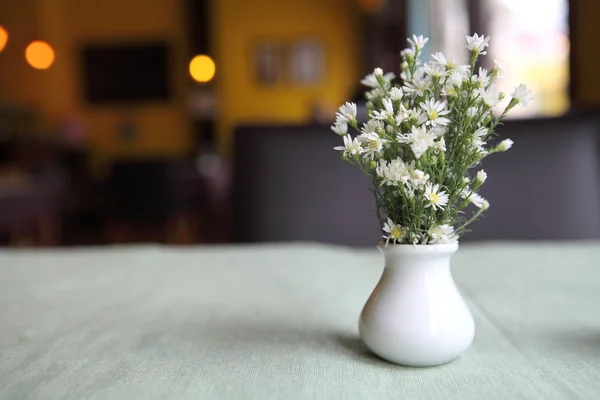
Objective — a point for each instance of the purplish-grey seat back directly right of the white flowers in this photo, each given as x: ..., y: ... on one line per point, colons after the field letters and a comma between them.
x: 547, y: 187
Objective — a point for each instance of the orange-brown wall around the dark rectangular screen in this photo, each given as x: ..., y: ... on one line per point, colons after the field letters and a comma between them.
x: 67, y: 24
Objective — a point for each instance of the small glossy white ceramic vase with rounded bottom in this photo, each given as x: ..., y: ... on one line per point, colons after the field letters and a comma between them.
x: 416, y: 315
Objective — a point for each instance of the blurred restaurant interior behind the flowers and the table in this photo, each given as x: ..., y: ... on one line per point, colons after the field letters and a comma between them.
x: 206, y: 121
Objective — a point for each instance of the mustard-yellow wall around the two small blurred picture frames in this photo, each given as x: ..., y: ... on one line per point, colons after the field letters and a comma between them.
x: 240, y: 24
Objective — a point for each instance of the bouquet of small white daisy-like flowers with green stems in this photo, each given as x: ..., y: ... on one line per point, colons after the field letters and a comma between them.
x: 421, y: 139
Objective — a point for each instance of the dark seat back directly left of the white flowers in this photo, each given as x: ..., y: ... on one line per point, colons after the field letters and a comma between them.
x: 290, y: 185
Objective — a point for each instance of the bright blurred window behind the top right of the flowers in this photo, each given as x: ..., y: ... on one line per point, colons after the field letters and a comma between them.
x: 529, y: 37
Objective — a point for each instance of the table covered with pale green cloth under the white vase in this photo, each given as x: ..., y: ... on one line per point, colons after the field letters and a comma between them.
x: 280, y: 322
